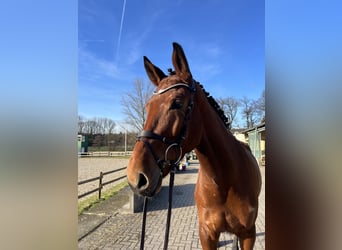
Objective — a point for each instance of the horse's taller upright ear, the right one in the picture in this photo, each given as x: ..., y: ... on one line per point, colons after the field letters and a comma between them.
x: 180, y: 63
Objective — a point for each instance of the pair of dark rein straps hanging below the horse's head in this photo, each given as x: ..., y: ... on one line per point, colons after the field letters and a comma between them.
x: 168, y: 220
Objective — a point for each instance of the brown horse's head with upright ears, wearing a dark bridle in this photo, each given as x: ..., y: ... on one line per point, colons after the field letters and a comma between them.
x: 169, y: 123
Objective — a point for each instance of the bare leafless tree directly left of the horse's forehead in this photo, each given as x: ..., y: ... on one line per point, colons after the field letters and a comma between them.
x: 134, y: 102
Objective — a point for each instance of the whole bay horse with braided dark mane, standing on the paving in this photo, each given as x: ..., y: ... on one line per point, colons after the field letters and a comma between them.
x: 180, y: 118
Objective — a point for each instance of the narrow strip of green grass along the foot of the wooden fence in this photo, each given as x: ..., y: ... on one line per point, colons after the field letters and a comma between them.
x: 93, y: 200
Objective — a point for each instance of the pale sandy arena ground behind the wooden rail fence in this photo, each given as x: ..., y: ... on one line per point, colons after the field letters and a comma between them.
x: 91, y: 167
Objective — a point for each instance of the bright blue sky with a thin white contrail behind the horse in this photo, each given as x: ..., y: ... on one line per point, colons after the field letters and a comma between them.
x: 223, y: 41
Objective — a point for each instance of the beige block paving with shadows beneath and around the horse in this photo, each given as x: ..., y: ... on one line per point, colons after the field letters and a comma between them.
x: 122, y: 231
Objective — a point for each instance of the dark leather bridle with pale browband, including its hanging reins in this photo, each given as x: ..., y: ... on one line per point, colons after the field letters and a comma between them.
x: 163, y: 163
